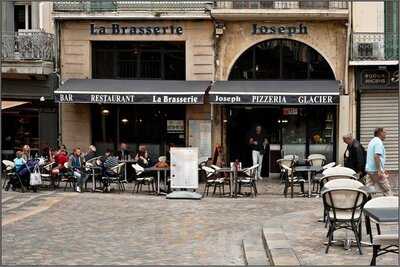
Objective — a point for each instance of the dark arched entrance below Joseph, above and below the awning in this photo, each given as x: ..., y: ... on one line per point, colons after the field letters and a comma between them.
x: 291, y: 129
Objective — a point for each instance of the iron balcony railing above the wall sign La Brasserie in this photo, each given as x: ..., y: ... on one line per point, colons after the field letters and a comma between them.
x: 143, y: 5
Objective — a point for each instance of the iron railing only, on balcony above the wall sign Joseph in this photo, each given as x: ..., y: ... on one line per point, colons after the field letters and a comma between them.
x: 285, y: 4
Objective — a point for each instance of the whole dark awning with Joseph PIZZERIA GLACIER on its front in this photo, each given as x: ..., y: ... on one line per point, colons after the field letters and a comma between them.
x: 276, y: 92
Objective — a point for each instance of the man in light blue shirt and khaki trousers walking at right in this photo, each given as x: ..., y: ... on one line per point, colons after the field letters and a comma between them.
x: 375, y: 165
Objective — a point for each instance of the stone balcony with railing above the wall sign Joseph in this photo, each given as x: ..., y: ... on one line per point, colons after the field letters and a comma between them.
x: 262, y: 9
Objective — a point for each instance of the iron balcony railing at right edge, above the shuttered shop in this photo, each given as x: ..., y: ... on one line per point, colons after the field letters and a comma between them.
x: 374, y: 46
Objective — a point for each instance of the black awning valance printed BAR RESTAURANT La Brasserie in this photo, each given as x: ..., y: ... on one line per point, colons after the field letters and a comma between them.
x: 128, y: 98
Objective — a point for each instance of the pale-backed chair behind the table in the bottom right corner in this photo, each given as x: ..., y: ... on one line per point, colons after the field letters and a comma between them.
x: 383, y: 243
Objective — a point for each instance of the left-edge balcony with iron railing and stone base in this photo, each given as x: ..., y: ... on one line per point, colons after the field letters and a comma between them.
x: 27, y: 52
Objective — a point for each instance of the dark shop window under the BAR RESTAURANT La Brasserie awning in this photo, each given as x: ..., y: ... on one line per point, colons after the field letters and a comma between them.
x: 136, y: 124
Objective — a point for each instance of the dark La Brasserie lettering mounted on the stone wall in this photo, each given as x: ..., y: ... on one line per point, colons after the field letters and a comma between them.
x: 117, y: 29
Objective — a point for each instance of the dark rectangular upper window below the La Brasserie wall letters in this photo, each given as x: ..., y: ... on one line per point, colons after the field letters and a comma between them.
x: 139, y: 60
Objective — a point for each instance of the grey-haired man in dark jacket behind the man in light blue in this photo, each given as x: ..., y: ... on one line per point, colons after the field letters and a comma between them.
x: 354, y: 156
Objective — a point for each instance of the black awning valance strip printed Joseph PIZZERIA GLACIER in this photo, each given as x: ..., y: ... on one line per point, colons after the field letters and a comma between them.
x: 276, y: 99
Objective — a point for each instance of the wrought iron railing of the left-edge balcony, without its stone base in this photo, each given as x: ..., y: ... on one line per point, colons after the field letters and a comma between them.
x: 29, y: 45
